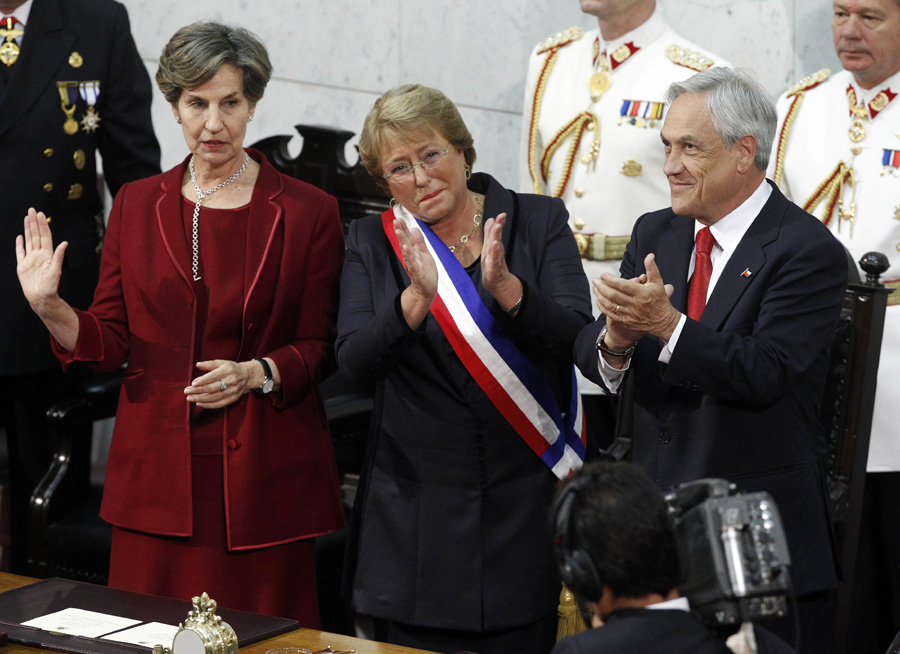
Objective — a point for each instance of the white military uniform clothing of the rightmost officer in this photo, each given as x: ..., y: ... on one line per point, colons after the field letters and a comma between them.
x: 830, y: 159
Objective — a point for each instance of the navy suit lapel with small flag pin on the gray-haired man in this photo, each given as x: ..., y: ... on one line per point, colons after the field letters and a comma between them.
x: 748, y: 260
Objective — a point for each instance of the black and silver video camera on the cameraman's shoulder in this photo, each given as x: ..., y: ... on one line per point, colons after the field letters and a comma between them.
x: 733, y: 552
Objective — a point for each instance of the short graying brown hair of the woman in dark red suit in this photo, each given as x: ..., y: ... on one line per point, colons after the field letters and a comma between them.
x: 197, y: 51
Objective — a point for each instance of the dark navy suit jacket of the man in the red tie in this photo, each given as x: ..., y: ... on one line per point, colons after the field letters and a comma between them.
x: 740, y: 396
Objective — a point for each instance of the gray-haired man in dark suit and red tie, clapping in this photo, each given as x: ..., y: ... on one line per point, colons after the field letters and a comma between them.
x: 731, y: 390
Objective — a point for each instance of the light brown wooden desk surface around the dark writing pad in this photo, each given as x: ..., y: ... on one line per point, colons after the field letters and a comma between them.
x: 309, y: 638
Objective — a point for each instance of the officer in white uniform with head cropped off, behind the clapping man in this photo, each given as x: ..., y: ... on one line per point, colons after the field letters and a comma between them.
x: 594, y: 104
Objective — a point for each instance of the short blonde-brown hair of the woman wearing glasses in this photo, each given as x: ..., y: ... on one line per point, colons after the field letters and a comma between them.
x: 411, y: 108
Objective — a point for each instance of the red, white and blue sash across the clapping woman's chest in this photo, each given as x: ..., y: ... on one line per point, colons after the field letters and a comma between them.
x: 512, y: 383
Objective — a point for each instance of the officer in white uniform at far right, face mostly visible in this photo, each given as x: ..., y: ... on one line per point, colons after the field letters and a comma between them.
x: 837, y: 154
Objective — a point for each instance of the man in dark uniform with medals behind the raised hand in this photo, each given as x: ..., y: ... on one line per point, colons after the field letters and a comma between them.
x: 72, y: 85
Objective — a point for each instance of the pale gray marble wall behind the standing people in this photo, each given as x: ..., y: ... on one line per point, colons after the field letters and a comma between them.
x: 333, y: 58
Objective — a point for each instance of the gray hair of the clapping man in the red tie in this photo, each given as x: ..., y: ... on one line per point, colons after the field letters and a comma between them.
x: 738, y: 106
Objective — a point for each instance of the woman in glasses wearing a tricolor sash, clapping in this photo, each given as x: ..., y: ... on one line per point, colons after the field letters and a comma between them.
x: 465, y: 326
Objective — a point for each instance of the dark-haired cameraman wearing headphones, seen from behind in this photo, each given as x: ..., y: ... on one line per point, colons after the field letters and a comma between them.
x: 616, y: 552
